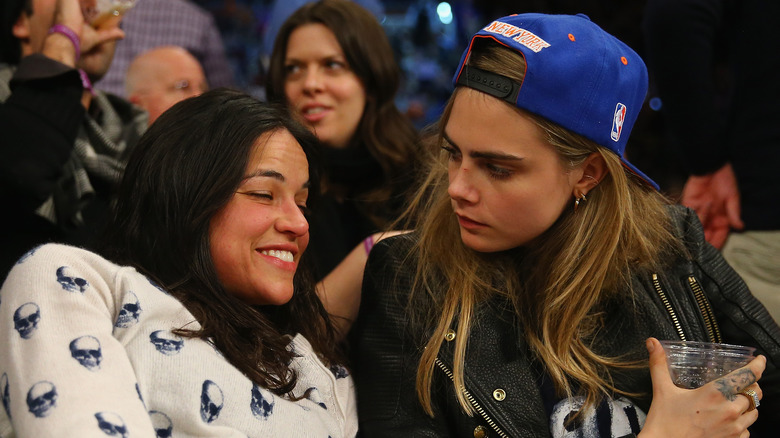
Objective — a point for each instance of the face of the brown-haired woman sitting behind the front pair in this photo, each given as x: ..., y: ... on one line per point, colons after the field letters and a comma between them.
x: 321, y: 87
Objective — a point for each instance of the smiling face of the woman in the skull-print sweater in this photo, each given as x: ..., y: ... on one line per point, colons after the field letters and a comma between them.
x: 258, y: 238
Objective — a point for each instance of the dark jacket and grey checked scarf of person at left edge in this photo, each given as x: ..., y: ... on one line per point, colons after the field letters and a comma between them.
x: 41, y: 123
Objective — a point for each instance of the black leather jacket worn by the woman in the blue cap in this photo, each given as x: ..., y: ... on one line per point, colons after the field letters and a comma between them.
x: 500, y: 378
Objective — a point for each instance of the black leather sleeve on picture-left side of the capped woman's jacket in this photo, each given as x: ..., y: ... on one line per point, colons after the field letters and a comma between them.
x: 385, y: 360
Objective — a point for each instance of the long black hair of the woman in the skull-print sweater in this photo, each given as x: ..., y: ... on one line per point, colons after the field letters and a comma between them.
x: 182, y: 172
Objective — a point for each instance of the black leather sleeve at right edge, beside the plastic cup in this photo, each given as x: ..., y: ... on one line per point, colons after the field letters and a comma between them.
x: 742, y: 319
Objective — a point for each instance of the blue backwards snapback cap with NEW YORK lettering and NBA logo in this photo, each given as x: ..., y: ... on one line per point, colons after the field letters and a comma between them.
x: 577, y: 75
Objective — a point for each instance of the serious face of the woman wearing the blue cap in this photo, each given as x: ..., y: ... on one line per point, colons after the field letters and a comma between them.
x: 507, y: 185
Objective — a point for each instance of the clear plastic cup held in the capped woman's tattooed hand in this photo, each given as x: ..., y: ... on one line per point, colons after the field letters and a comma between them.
x: 693, y: 364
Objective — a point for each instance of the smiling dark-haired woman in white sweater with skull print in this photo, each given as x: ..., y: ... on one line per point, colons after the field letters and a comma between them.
x: 202, y: 319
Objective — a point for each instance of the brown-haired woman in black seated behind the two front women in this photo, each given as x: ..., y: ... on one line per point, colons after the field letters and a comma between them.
x: 333, y: 65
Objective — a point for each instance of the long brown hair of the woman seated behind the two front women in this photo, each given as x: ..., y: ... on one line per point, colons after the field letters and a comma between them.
x: 384, y: 131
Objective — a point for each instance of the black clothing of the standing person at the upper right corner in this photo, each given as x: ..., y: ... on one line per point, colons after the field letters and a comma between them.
x: 715, y: 64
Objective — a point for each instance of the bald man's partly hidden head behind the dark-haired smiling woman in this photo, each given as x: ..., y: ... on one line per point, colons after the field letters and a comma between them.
x: 162, y: 77
